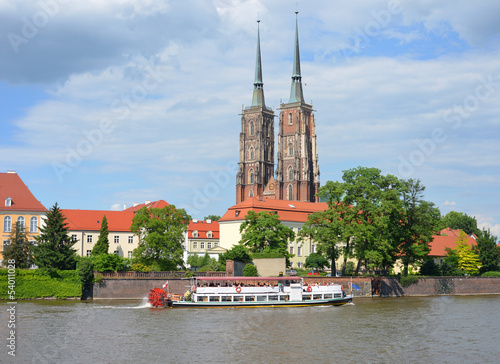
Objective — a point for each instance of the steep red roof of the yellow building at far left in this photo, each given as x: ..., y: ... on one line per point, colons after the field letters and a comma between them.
x: 12, y: 186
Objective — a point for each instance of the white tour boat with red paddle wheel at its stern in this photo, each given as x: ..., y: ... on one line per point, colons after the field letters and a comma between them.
x: 246, y: 292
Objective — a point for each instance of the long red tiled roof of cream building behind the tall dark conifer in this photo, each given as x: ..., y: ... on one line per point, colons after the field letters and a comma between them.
x: 92, y: 219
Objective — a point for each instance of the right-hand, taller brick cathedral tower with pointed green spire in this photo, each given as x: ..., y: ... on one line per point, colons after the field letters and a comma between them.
x: 297, y: 170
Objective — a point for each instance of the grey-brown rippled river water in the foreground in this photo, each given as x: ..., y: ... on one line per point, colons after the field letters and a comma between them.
x: 443, y: 329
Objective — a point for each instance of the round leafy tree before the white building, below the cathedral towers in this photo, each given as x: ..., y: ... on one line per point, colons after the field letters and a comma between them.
x: 263, y: 232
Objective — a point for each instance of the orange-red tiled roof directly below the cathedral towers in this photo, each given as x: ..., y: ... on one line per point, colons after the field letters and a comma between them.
x: 293, y: 211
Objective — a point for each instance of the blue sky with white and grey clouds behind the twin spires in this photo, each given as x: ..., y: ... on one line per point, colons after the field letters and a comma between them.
x: 106, y: 103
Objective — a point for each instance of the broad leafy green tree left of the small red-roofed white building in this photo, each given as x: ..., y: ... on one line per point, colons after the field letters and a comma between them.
x: 161, y: 234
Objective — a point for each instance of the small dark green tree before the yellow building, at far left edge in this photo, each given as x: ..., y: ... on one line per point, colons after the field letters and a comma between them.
x: 18, y: 249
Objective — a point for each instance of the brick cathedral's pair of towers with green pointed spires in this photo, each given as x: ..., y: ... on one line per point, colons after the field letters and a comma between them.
x: 296, y: 177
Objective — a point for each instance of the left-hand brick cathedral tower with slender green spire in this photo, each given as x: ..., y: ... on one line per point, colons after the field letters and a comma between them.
x: 256, y: 166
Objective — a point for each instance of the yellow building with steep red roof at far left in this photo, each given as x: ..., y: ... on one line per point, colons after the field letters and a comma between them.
x: 18, y: 204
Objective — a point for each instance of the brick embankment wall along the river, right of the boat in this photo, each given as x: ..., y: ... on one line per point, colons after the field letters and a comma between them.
x: 430, y: 286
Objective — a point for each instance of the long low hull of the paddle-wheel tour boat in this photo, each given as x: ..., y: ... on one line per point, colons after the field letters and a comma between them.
x: 272, y: 304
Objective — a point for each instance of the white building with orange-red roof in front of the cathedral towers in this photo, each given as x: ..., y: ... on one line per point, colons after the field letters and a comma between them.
x: 292, y: 214
